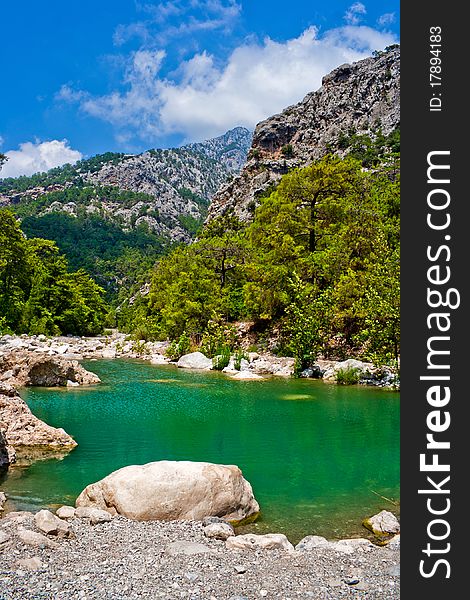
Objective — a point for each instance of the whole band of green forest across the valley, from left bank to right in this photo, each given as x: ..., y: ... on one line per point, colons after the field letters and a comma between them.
x: 316, y: 271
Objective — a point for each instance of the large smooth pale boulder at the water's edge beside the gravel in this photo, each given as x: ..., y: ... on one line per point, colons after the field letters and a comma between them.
x: 172, y: 490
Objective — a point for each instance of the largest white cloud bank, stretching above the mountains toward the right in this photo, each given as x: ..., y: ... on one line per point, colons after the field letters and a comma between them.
x: 203, y: 98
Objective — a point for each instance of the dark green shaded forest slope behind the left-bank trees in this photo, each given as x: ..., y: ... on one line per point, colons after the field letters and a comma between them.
x: 117, y: 253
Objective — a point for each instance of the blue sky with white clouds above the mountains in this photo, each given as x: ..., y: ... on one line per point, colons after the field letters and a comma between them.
x: 81, y: 78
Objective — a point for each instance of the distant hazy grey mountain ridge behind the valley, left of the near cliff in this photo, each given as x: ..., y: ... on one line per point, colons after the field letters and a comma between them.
x: 181, y: 182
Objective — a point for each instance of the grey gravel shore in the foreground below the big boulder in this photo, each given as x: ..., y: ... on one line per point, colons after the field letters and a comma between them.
x: 124, y: 560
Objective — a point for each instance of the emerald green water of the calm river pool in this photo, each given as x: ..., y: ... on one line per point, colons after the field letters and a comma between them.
x: 316, y: 455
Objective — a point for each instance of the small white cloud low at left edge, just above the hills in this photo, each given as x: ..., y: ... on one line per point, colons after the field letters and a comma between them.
x: 34, y: 157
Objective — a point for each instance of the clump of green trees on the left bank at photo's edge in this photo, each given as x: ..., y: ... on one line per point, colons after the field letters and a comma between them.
x: 38, y: 294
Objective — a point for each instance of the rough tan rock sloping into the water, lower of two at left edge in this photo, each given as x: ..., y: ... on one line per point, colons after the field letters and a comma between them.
x: 22, y: 429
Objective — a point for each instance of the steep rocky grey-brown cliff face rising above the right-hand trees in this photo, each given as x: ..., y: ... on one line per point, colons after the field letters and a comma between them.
x: 362, y: 97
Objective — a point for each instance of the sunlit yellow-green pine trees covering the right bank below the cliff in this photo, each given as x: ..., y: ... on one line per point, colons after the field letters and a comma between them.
x: 319, y: 264
